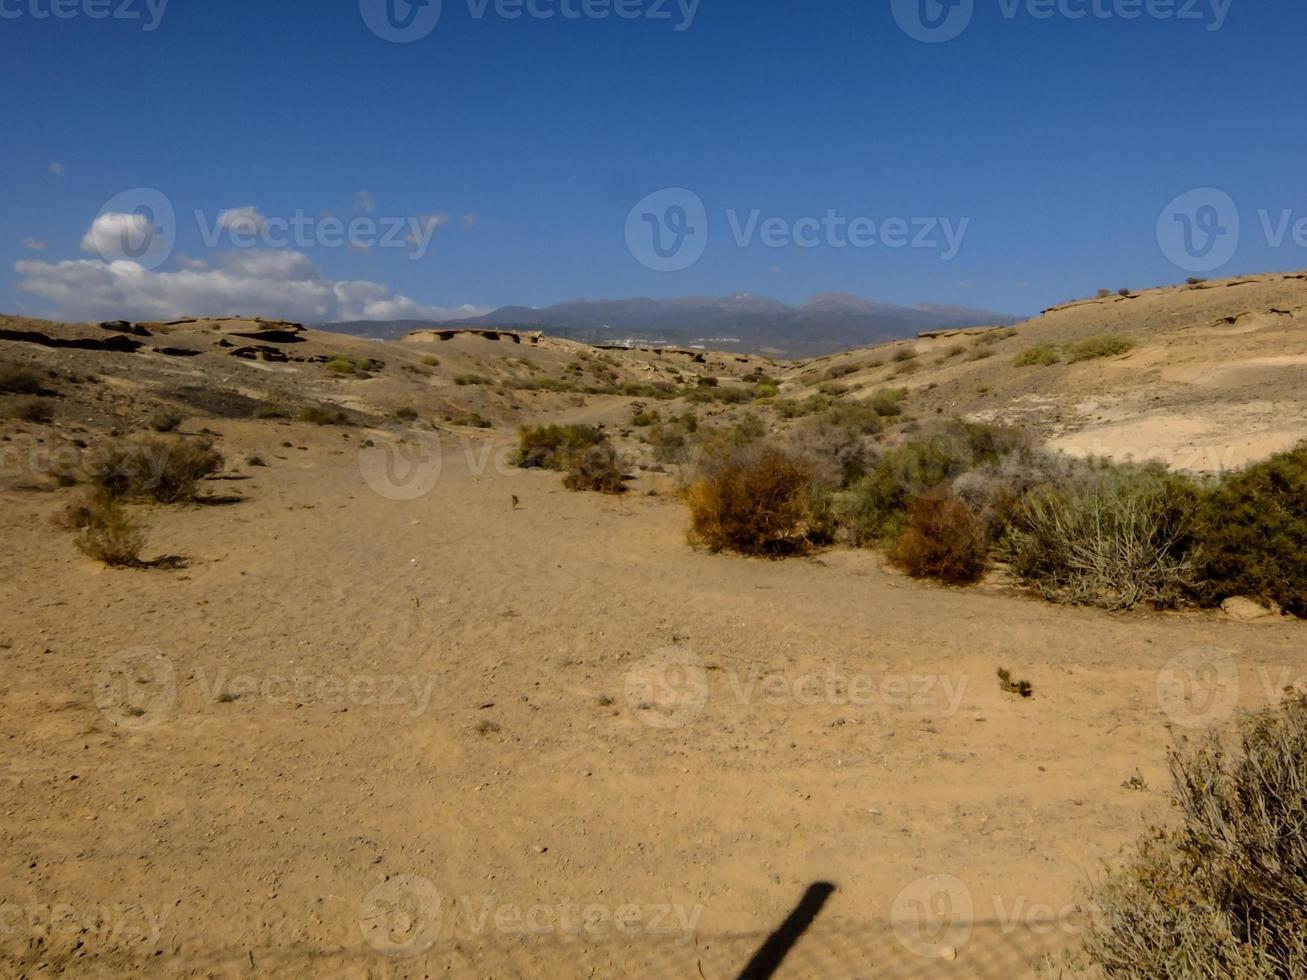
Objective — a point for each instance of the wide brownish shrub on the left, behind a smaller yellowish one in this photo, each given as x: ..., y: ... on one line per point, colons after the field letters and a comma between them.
x: 156, y: 470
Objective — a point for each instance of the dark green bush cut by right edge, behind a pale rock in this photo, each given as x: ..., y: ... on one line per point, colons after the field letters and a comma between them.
x: 1254, y: 532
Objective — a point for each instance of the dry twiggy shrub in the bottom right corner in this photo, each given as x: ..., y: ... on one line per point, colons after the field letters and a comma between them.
x: 1223, y: 894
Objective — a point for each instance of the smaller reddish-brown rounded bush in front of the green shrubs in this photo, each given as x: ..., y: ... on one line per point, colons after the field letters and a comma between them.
x: 943, y: 542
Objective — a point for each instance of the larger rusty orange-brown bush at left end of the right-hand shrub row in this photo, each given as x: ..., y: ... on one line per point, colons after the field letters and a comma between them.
x: 756, y: 502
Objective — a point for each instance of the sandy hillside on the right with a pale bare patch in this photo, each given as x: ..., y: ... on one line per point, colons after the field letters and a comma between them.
x: 1219, y: 378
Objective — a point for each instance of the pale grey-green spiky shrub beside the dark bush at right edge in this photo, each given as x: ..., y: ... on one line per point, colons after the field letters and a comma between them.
x: 1109, y: 536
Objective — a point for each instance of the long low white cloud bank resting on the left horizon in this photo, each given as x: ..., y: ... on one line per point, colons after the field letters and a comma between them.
x: 256, y: 283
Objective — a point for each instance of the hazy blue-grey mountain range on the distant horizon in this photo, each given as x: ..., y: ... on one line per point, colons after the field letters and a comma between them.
x: 751, y: 325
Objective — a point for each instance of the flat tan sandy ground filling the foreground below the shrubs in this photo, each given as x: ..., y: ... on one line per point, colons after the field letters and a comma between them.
x: 253, y: 830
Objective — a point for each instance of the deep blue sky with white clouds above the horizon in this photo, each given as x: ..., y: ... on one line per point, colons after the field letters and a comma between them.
x: 521, y: 147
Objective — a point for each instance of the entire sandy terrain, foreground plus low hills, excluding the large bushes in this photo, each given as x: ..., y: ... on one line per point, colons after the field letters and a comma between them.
x: 410, y: 711
